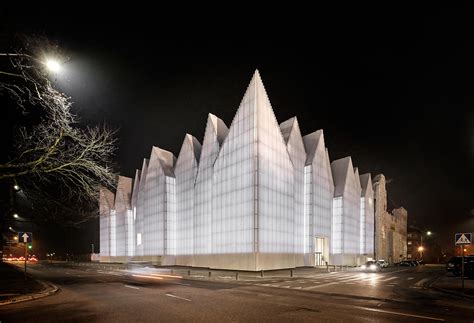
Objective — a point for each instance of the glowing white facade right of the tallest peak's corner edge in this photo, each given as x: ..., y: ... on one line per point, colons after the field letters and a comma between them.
x: 275, y: 183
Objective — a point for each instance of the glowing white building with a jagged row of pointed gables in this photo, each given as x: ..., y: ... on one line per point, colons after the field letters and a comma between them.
x: 254, y: 196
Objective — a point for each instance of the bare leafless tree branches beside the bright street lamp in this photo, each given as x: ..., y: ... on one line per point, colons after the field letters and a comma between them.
x: 56, y: 160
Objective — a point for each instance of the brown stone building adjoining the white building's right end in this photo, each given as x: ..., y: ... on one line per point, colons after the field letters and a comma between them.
x: 390, y: 227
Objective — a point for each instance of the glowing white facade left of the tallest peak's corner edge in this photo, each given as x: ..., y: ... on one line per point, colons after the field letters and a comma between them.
x: 235, y: 179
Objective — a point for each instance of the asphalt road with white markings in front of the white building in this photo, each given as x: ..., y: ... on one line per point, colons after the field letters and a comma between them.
x: 90, y: 295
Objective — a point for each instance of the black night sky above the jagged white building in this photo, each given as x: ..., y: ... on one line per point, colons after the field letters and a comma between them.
x: 391, y: 88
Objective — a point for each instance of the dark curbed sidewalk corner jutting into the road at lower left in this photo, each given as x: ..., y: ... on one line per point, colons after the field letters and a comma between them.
x: 15, y: 288
